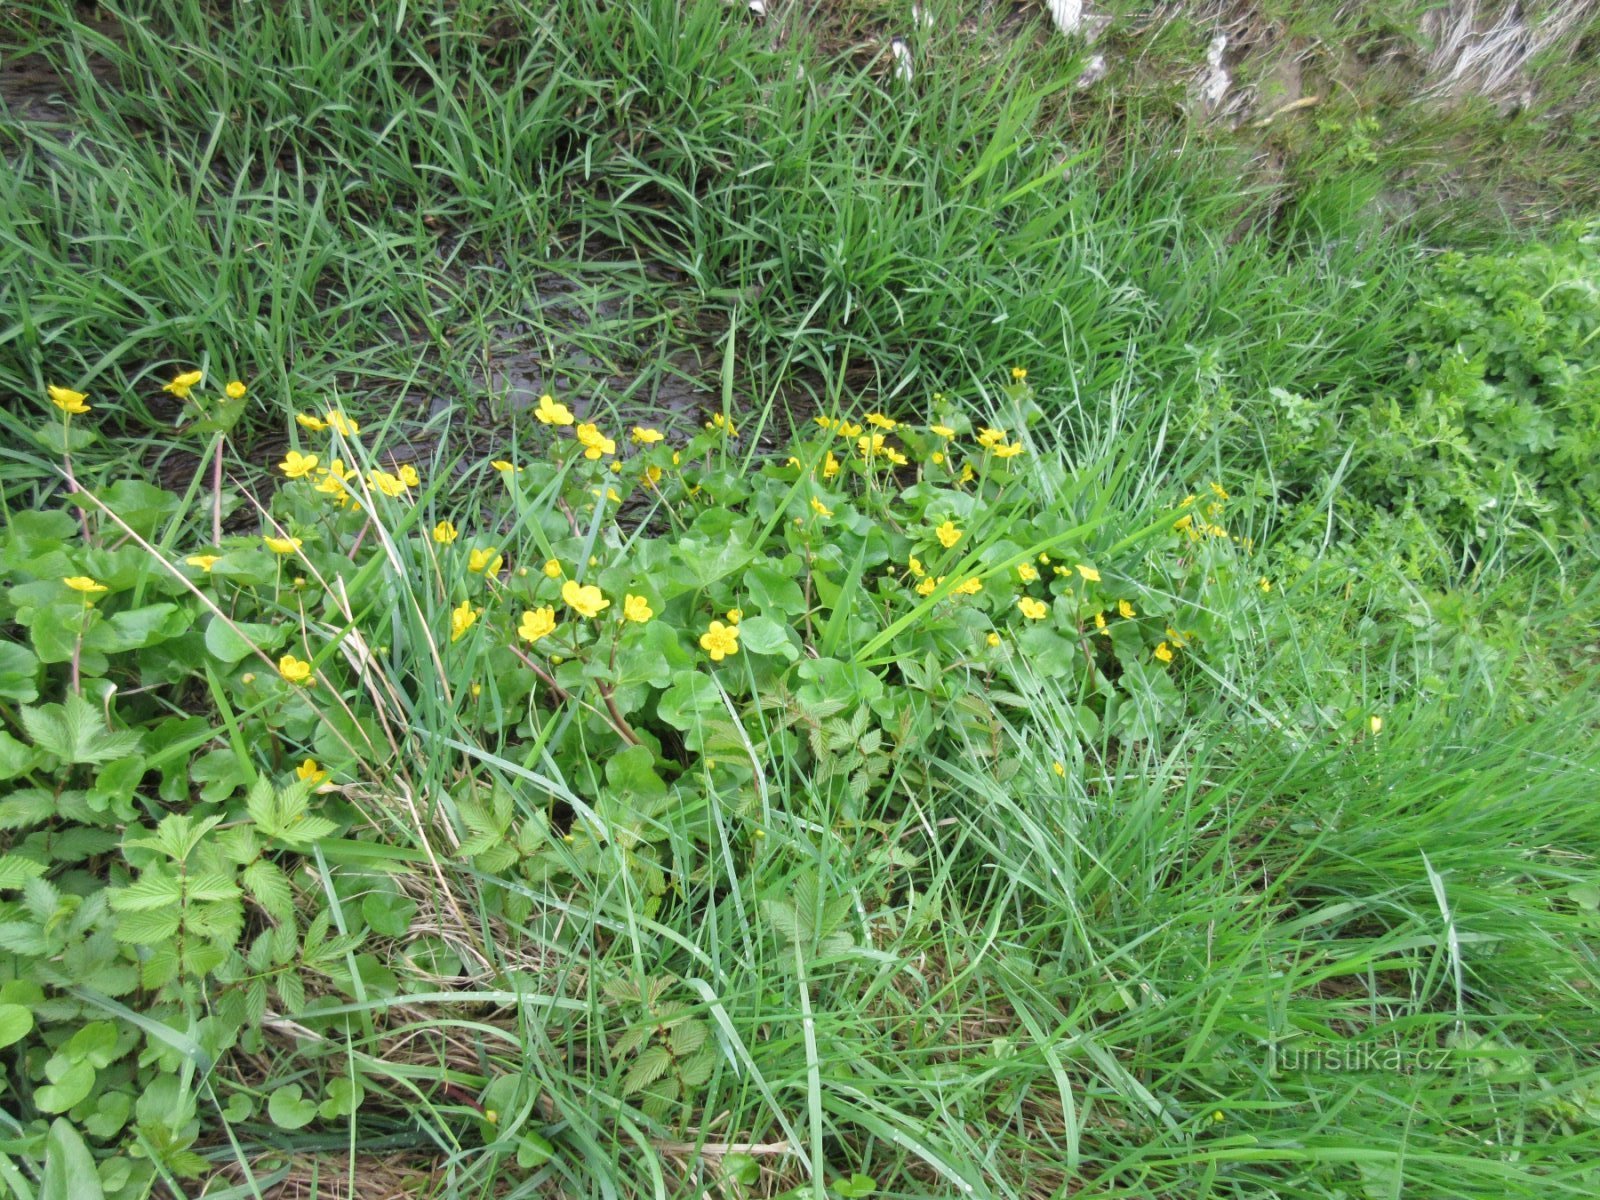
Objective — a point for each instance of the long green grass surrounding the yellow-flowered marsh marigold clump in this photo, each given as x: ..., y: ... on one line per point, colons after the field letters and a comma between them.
x: 1058, y: 985
